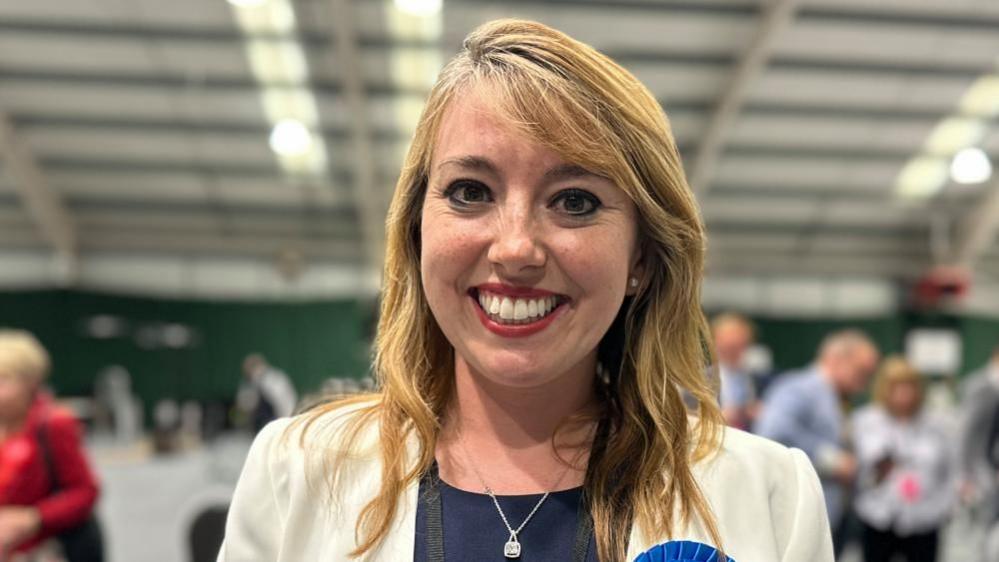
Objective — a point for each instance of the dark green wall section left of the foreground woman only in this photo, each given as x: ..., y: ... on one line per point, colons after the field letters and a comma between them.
x: 311, y: 341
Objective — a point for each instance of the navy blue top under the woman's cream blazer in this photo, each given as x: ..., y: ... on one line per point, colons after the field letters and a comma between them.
x: 473, y: 529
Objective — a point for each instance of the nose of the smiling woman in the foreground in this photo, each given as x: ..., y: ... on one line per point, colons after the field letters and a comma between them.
x: 516, y: 249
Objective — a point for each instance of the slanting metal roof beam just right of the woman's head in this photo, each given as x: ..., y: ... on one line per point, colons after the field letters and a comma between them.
x: 777, y: 16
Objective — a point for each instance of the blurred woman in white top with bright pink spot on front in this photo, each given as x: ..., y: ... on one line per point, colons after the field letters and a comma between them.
x: 906, y: 478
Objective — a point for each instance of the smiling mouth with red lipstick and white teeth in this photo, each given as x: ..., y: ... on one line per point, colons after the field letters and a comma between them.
x: 516, y: 312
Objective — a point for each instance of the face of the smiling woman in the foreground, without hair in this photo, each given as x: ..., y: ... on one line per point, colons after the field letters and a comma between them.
x: 525, y: 256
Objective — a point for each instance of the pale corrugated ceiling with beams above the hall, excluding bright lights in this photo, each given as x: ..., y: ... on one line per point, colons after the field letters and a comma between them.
x: 142, y: 127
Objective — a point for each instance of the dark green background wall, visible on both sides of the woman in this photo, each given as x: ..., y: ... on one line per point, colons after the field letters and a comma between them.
x: 316, y: 340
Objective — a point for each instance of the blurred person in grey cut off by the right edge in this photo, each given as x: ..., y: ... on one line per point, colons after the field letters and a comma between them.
x: 978, y: 452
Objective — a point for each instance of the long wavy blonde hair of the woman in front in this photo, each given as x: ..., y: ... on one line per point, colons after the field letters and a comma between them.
x: 566, y: 96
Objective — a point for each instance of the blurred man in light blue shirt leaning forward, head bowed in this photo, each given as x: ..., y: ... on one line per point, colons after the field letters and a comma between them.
x: 806, y: 409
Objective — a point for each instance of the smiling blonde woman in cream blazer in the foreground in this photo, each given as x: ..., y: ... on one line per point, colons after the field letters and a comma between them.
x: 539, y: 320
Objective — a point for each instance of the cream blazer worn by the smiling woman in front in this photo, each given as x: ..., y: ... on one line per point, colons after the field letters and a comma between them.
x: 766, y: 497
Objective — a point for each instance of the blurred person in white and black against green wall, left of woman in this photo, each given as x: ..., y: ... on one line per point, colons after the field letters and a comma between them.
x: 266, y: 393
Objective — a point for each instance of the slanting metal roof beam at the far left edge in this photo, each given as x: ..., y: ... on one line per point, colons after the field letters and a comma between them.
x: 45, y: 206
